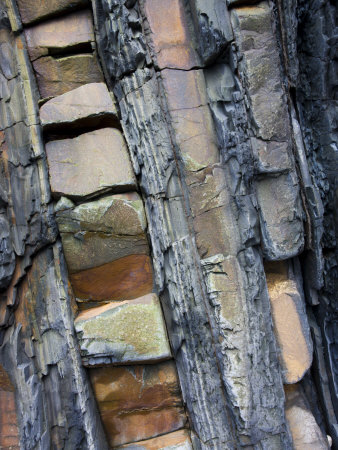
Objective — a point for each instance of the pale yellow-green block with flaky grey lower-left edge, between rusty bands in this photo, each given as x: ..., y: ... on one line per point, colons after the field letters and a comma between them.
x: 131, y: 331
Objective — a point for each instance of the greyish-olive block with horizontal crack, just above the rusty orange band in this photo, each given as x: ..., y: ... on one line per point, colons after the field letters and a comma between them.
x: 102, y: 231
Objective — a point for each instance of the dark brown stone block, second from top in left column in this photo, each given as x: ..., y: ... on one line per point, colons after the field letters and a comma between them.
x: 55, y: 76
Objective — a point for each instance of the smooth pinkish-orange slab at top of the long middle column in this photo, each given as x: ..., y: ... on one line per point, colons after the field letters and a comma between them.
x: 171, y: 40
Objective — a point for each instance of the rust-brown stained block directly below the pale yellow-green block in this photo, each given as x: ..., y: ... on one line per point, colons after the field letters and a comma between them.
x: 139, y: 402
